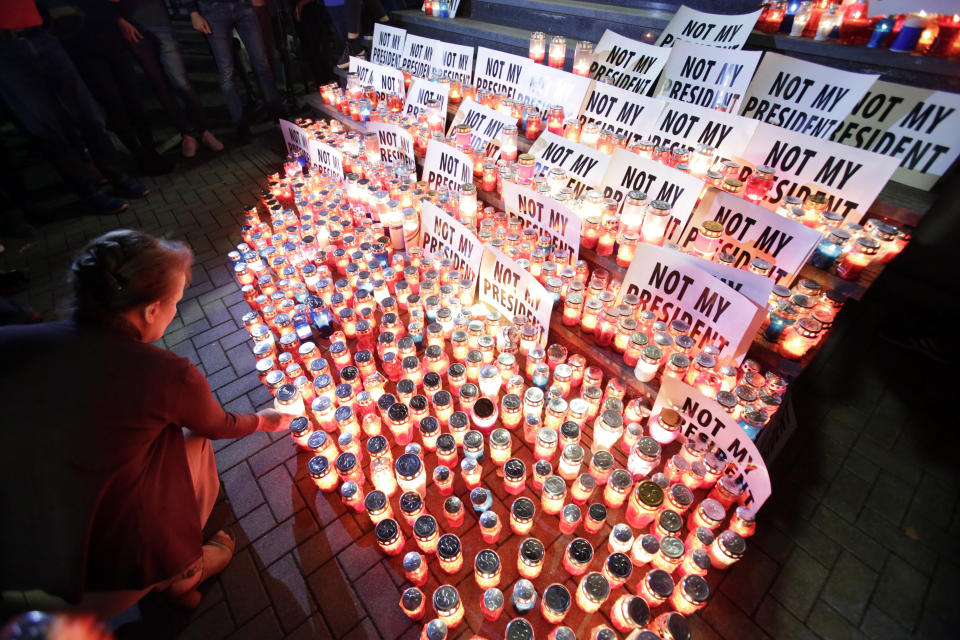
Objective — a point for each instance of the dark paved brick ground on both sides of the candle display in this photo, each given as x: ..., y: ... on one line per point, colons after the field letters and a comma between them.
x: 856, y: 542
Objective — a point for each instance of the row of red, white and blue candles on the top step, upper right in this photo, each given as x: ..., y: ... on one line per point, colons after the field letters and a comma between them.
x: 930, y: 34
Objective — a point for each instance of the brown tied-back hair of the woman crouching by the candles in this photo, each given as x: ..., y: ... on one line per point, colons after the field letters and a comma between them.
x: 124, y: 269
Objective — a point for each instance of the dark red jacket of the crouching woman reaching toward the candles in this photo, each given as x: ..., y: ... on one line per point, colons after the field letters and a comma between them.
x: 96, y: 492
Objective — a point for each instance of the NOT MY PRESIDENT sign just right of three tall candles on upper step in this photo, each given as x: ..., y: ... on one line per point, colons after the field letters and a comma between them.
x: 627, y: 64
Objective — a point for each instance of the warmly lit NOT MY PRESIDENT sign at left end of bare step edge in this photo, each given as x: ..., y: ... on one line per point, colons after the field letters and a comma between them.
x: 511, y: 290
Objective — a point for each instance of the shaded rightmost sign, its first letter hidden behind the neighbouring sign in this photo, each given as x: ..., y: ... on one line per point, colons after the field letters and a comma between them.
x: 919, y: 127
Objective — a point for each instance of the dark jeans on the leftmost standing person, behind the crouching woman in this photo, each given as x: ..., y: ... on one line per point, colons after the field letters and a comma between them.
x: 46, y: 96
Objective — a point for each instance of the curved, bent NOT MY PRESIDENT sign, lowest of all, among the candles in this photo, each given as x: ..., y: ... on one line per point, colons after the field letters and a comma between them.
x: 706, y: 421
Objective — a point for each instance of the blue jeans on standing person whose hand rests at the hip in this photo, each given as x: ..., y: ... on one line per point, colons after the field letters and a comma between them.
x: 223, y: 18
